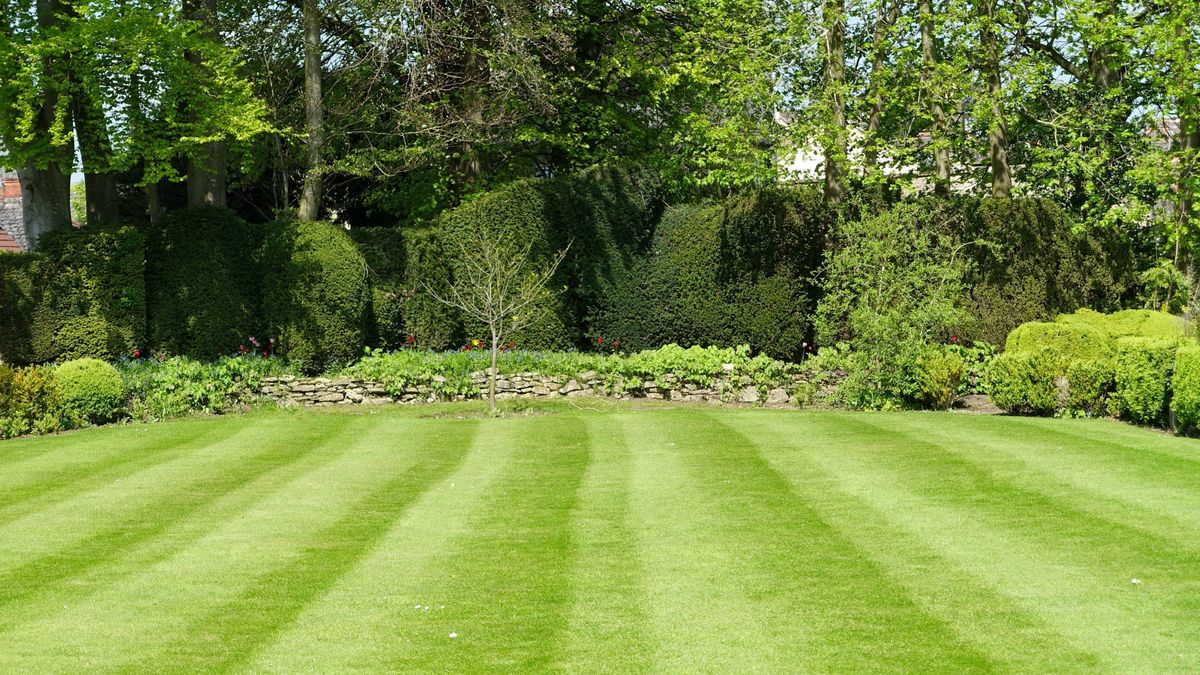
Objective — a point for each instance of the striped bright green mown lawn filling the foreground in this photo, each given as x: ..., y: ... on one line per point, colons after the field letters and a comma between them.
x: 683, y: 540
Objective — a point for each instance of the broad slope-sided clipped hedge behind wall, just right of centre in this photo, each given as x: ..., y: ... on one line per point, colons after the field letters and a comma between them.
x: 737, y: 272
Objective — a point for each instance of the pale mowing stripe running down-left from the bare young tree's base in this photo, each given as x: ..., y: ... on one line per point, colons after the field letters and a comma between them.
x: 365, y: 620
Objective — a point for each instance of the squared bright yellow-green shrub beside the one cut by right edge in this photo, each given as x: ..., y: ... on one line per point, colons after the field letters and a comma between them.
x: 1143, y: 377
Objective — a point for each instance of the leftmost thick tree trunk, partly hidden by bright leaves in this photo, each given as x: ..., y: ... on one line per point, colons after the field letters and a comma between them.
x: 46, y: 186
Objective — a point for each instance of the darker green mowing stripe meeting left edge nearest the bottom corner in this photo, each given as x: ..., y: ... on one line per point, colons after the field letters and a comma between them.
x: 165, y: 528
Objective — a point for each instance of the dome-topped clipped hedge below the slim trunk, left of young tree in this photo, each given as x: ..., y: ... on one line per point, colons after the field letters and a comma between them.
x: 315, y: 294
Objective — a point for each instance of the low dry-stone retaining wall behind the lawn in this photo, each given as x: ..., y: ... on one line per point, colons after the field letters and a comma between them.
x: 325, y: 392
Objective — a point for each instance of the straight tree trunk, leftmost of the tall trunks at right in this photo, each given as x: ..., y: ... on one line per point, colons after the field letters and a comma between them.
x: 836, y: 160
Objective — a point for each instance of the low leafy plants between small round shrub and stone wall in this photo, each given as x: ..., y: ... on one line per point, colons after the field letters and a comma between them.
x: 182, y: 386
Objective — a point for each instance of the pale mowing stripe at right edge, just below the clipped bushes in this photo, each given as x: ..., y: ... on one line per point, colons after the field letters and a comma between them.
x: 1114, y: 487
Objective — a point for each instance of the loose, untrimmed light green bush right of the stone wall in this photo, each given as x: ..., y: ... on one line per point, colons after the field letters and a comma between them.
x: 893, y: 286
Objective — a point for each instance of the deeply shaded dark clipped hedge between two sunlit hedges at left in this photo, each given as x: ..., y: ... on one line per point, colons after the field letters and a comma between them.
x: 203, y: 283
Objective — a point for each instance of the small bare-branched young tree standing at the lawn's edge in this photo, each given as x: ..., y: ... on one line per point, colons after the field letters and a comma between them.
x: 499, y: 284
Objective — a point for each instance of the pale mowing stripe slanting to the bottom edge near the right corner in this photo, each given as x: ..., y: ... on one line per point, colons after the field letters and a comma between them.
x: 1013, y: 637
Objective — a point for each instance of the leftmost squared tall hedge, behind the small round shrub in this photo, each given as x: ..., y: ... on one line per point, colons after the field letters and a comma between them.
x: 82, y: 295
